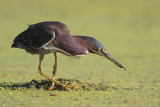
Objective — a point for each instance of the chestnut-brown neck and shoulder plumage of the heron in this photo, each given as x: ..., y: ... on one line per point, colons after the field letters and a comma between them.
x: 71, y: 44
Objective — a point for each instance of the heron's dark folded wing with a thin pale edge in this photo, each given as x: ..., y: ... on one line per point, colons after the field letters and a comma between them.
x: 34, y: 38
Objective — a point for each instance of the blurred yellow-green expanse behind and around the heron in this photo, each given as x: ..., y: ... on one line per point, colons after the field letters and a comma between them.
x: 129, y: 29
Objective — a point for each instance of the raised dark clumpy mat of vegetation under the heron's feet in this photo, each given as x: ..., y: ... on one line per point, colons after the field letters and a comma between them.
x: 44, y: 84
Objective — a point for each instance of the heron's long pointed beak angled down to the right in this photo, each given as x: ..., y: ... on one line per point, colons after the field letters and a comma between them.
x: 111, y: 58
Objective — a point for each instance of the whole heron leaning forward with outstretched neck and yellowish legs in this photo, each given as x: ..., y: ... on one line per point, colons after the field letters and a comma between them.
x: 54, y: 37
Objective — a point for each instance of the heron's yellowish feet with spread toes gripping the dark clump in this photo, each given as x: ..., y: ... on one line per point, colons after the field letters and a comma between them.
x: 65, y: 86
